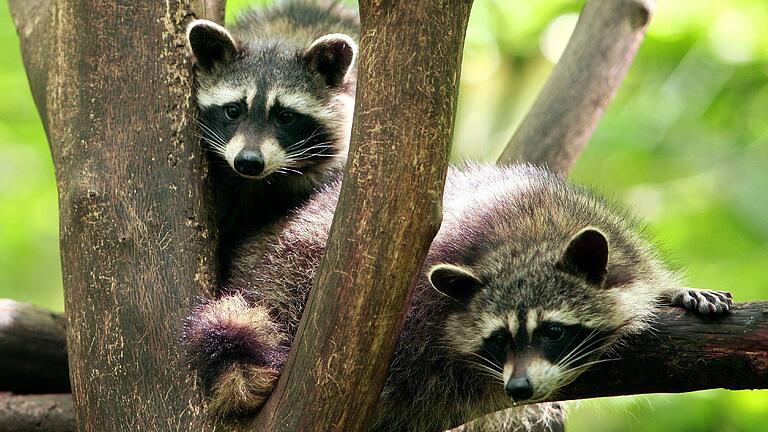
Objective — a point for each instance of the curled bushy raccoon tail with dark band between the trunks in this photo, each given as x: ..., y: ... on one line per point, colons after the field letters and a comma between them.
x: 237, y: 351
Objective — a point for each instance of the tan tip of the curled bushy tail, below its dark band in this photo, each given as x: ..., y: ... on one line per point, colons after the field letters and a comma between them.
x: 242, y: 389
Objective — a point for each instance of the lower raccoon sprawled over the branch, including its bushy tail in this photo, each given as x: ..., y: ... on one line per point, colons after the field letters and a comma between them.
x: 528, y: 281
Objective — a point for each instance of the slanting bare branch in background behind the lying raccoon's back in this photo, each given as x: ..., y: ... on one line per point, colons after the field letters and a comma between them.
x: 583, y: 83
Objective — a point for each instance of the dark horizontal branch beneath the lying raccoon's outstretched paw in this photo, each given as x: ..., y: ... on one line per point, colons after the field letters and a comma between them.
x: 685, y: 352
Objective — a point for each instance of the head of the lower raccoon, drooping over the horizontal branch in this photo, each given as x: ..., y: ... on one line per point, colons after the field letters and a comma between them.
x: 538, y: 329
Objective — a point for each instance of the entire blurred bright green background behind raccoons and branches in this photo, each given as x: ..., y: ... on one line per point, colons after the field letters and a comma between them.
x: 685, y: 144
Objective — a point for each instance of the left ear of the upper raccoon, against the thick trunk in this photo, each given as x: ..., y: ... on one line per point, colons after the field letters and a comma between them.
x: 210, y: 43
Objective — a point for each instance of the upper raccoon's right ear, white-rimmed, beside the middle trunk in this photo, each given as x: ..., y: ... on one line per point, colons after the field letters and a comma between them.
x: 331, y: 56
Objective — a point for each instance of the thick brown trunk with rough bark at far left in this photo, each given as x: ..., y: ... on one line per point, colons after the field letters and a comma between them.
x: 113, y: 85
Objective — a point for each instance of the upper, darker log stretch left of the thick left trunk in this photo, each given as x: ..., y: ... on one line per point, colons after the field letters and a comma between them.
x: 33, y: 349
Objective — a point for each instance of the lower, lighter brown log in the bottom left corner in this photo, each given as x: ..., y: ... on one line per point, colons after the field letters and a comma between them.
x: 39, y: 413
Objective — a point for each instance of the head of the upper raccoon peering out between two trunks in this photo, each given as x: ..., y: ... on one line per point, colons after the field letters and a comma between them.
x: 266, y: 107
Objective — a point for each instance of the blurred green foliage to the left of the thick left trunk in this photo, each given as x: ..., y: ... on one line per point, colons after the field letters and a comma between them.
x: 29, y: 252
